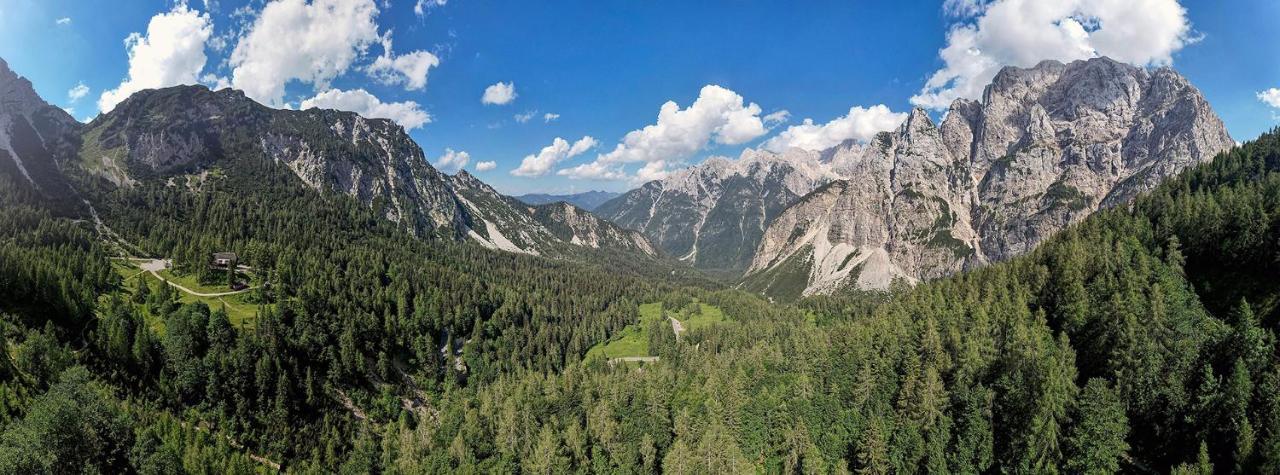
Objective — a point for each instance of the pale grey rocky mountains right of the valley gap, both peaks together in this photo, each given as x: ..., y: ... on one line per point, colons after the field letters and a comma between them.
x: 1045, y: 148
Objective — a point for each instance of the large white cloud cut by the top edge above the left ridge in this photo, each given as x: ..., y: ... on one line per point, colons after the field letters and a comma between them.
x: 313, y: 43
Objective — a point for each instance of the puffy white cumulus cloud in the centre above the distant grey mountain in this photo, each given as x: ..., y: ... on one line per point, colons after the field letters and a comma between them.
x: 719, y: 116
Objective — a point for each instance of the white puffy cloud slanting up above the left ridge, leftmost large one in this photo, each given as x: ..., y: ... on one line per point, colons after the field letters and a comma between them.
x: 171, y: 54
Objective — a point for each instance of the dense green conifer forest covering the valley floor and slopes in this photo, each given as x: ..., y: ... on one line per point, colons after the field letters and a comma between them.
x: 1141, y: 341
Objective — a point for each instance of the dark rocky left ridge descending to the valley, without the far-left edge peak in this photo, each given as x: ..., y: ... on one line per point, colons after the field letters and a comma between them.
x: 190, y: 131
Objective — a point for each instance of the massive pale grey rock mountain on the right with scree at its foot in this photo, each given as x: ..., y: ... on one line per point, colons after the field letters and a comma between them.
x: 1044, y: 149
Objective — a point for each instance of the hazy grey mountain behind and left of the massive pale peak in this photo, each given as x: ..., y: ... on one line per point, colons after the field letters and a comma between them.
x: 712, y: 216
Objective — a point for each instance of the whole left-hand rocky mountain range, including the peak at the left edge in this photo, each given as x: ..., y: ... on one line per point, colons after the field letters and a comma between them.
x: 189, y: 135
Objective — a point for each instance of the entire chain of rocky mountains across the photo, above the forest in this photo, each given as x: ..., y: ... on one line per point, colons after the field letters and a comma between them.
x: 1045, y: 148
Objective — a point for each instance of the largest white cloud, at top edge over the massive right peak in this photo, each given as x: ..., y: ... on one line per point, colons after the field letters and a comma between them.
x: 998, y: 34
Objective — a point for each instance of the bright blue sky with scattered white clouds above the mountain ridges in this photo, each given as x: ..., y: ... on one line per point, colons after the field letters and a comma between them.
x: 606, y: 68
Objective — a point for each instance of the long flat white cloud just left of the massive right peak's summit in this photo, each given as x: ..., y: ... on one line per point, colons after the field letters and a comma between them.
x: 861, y: 125
